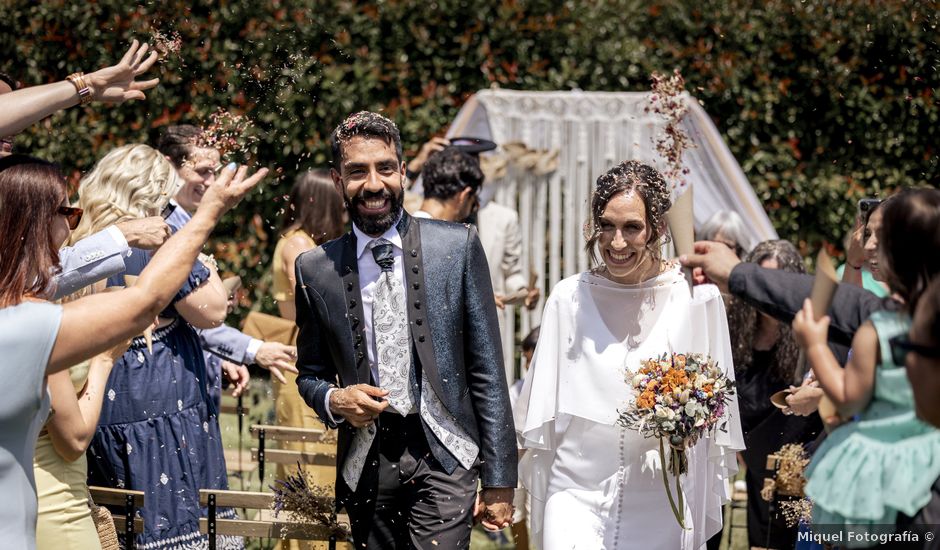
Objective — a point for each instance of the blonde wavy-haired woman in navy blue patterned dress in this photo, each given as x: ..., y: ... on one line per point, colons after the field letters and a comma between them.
x: 157, y: 430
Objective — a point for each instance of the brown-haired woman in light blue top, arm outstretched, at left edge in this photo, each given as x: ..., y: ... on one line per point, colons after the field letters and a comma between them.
x: 38, y: 338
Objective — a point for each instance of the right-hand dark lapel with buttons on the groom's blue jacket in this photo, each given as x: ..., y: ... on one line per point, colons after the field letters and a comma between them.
x: 416, y: 303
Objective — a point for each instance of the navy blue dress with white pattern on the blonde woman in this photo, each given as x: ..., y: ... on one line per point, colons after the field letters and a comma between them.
x: 159, y: 430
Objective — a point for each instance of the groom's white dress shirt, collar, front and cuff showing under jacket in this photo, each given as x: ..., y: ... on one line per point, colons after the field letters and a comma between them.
x: 369, y: 272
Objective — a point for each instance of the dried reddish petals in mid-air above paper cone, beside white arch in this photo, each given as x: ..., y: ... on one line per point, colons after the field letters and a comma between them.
x: 668, y: 102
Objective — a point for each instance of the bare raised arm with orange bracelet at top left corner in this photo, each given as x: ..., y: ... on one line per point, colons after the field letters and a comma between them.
x: 22, y: 108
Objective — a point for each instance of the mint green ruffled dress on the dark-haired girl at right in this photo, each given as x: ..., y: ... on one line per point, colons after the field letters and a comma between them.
x: 868, y: 470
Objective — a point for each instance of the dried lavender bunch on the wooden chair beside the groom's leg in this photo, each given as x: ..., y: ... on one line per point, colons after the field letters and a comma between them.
x: 304, y: 501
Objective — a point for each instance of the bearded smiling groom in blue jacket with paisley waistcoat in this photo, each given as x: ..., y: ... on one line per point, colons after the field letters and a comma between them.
x: 399, y: 348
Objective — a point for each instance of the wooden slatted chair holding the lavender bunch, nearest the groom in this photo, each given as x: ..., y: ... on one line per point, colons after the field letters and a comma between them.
x: 261, y: 527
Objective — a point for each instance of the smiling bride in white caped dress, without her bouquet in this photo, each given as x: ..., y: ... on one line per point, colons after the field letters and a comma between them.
x: 593, y: 483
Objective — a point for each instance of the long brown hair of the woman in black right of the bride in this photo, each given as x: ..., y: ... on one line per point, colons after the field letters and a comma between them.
x: 743, y: 318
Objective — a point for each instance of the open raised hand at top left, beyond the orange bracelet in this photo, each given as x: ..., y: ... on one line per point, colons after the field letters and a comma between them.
x: 116, y: 84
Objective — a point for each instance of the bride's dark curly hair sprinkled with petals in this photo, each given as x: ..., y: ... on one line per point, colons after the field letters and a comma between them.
x: 631, y: 176
